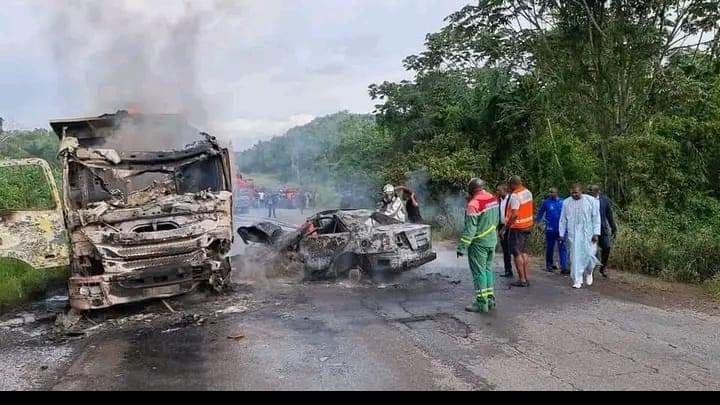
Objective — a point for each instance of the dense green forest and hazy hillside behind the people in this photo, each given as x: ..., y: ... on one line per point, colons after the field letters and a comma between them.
x: 625, y: 94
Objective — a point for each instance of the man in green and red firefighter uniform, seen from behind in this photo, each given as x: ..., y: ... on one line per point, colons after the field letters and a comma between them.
x: 478, y: 242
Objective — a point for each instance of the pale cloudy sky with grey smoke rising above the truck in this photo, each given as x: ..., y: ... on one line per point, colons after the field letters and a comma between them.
x: 245, y: 69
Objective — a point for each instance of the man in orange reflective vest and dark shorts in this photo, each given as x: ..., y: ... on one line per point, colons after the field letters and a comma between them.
x: 519, y: 223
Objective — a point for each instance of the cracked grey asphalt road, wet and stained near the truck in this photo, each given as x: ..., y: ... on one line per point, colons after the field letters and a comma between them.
x: 413, y: 334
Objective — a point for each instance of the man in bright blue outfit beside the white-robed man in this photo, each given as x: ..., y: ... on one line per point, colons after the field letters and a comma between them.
x: 550, y: 211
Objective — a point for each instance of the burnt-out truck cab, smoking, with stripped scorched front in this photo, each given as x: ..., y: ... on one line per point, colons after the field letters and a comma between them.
x: 142, y: 223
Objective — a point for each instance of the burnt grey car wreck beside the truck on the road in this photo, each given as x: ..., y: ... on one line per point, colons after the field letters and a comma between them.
x: 352, y: 243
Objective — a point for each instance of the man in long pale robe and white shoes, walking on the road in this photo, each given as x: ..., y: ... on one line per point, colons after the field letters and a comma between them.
x: 580, y: 229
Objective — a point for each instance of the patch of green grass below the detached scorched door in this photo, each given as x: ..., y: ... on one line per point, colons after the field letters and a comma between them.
x: 20, y: 282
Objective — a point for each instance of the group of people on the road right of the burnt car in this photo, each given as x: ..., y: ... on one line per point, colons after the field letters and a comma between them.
x: 578, y: 226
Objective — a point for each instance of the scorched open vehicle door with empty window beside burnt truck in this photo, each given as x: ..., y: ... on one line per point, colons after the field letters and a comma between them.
x: 32, y: 228
